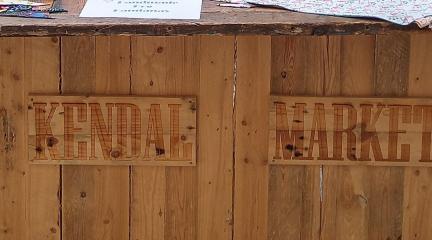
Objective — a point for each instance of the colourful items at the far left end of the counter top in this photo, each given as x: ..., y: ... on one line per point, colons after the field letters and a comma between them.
x: 27, y: 9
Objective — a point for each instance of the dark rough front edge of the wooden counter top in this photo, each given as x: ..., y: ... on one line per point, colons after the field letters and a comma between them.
x: 166, y: 29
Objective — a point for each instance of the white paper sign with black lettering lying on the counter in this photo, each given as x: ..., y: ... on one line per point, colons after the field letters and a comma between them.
x: 157, y: 9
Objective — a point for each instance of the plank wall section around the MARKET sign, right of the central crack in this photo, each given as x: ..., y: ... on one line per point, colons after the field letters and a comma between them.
x: 329, y: 202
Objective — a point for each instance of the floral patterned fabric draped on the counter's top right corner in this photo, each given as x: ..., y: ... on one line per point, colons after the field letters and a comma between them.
x: 401, y: 12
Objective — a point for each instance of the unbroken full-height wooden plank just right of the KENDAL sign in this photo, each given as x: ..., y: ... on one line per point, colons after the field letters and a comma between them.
x: 215, y: 168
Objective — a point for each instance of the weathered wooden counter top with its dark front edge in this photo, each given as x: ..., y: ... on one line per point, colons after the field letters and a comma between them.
x: 214, y: 20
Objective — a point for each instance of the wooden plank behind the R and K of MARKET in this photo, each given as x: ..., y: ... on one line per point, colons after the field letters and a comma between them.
x: 346, y: 189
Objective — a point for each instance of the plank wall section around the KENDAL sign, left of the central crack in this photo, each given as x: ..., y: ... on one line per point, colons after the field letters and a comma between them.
x: 119, y: 203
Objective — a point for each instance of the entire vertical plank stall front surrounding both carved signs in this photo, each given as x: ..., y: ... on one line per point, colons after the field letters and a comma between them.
x: 232, y: 193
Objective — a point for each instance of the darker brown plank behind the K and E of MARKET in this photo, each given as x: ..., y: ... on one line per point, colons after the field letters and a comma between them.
x: 391, y: 80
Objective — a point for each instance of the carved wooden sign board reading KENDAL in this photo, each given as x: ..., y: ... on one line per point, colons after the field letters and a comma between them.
x: 79, y: 130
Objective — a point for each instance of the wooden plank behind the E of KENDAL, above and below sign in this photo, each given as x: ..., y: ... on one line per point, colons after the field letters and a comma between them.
x: 78, y: 77
